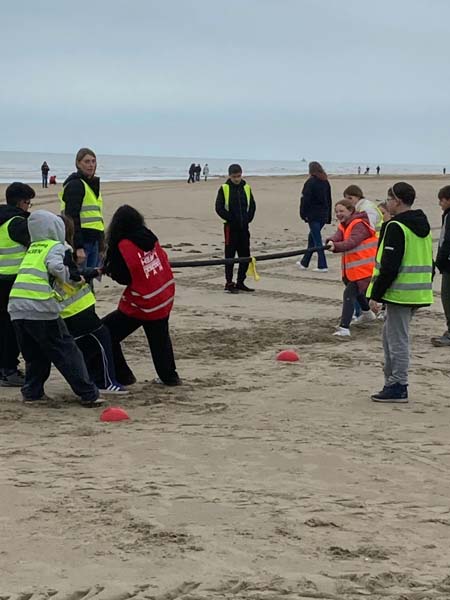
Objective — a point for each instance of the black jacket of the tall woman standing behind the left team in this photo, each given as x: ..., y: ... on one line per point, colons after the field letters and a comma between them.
x: 73, y: 198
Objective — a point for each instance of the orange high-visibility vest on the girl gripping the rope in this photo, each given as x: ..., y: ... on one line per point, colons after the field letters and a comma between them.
x: 359, y: 262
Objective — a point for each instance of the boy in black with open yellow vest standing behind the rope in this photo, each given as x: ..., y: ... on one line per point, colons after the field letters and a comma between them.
x: 236, y: 205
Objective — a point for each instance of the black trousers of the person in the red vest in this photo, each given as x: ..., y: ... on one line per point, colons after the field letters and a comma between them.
x: 121, y: 326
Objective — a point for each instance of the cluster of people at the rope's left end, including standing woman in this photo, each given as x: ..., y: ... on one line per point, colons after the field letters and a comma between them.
x: 47, y: 306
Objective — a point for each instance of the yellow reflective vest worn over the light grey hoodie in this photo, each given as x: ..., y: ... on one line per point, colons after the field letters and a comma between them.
x: 32, y: 281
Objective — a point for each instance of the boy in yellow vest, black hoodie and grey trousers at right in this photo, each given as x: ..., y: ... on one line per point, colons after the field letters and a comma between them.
x: 402, y: 279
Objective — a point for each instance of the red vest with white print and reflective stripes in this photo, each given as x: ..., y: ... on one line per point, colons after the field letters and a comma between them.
x: 150, y: 295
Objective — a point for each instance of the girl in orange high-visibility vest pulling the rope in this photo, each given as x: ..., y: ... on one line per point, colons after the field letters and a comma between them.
x: 356, y: 239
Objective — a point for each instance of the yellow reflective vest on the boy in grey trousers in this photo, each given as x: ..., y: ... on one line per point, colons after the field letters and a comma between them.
x: 413, y: 284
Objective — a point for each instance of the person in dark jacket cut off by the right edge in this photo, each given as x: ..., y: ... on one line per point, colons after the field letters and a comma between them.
x: 442, y: 263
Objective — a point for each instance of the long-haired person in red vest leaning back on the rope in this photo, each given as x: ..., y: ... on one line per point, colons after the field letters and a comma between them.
x: 134, y: 258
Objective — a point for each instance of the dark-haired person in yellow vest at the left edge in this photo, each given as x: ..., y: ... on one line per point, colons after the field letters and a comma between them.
x: 14, y: 241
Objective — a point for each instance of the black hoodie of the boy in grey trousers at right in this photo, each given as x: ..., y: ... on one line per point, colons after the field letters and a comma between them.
x: 394, y: 248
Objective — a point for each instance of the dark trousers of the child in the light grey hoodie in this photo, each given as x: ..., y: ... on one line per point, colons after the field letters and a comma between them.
x: 46, y: 342
